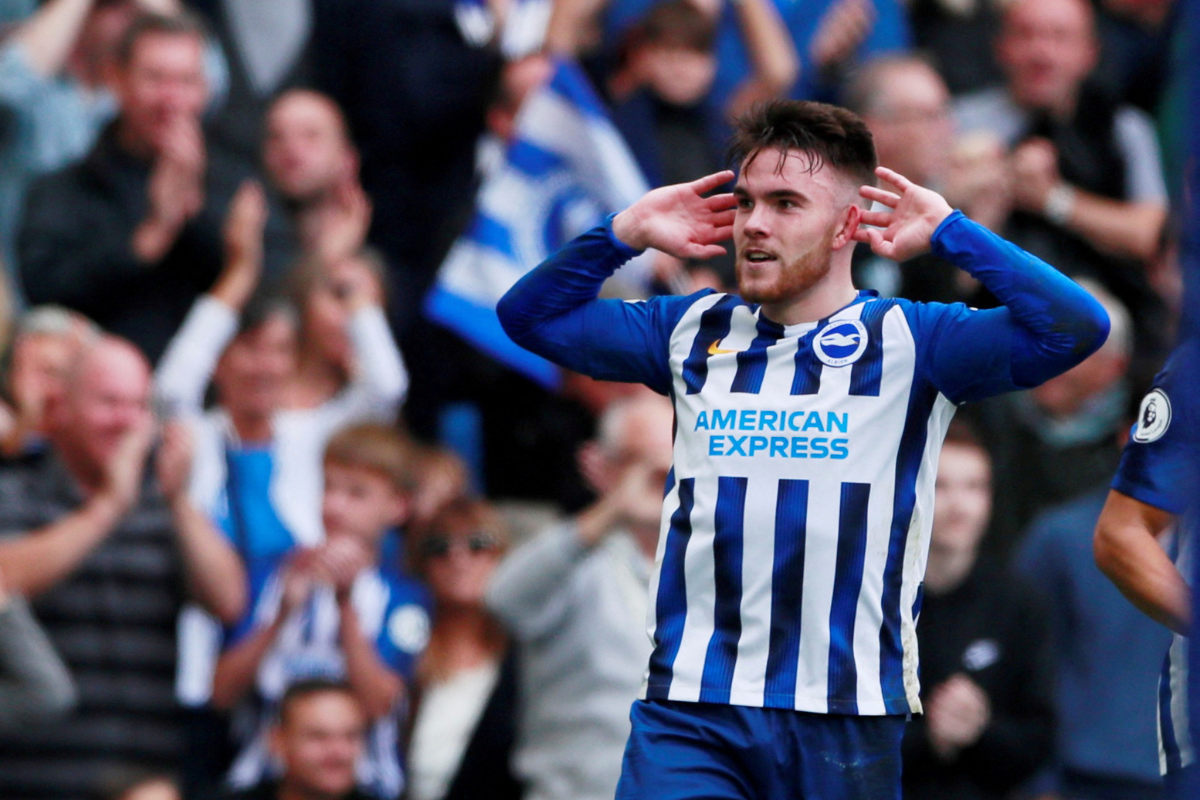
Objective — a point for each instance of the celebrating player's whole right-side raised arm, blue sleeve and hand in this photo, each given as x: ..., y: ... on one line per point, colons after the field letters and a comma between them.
x: 1047, y: 323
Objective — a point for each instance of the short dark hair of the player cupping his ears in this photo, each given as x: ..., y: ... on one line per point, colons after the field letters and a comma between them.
x: 826, y: 135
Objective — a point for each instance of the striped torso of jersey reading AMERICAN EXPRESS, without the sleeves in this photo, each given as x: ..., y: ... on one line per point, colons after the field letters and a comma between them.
x: 797, y: 526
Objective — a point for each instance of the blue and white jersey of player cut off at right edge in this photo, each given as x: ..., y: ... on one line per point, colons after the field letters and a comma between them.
x: 1156, y: 470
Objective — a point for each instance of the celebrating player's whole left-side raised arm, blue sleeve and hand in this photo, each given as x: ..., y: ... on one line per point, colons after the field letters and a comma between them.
x: 554, y: 310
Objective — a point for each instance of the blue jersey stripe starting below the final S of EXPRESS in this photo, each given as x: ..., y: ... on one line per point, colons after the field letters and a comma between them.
x: 848, y: 584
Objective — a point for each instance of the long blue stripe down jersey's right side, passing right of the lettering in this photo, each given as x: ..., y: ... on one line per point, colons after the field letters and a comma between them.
x: 909, y: 459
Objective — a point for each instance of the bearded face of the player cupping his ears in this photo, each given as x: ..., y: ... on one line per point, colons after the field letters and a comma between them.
x: 788, y: 218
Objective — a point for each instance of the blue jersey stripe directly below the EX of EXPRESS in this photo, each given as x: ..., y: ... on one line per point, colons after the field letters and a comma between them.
x: 723, y: 647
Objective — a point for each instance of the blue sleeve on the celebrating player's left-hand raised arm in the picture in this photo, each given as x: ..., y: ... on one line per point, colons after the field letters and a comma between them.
x: 554, y: 312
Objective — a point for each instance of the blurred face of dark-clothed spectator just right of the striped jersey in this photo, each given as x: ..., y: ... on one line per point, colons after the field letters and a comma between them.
x: 963, y: 500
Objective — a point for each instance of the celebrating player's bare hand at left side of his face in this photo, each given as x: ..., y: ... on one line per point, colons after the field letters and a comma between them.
x: 680, y: 220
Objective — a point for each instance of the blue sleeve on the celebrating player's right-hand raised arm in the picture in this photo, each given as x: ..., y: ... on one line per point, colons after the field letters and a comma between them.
x: 1047, y: 324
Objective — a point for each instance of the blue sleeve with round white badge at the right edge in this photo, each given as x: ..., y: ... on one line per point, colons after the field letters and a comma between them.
x: 1157, y: 464
